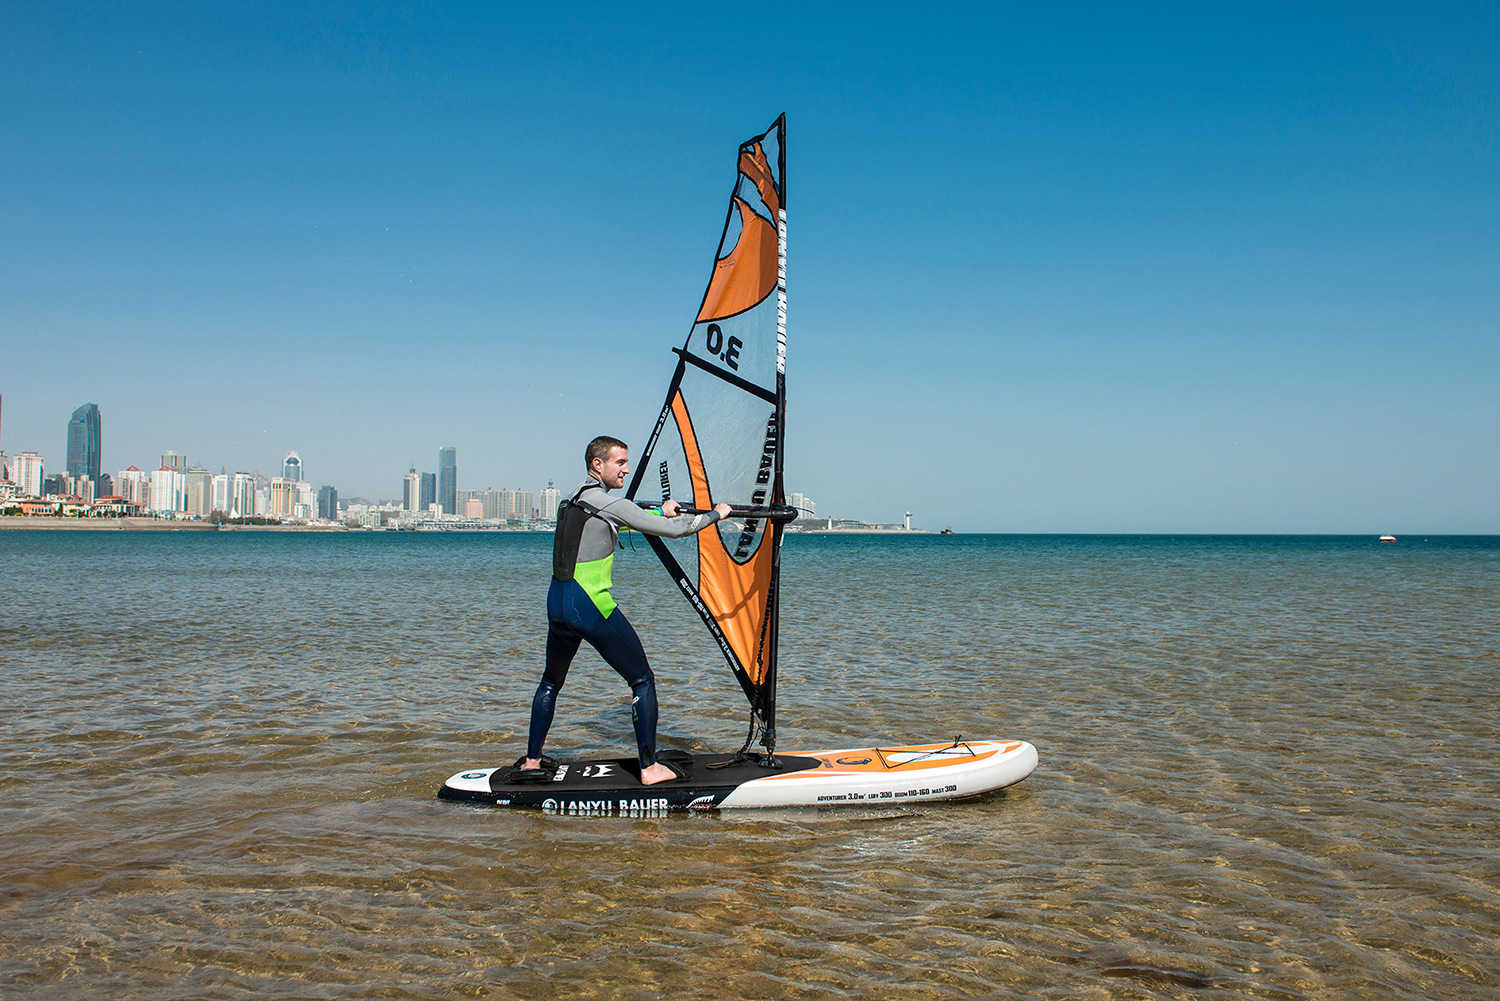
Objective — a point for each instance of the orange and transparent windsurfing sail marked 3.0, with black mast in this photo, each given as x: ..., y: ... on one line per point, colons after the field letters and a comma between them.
x: 721, y: 431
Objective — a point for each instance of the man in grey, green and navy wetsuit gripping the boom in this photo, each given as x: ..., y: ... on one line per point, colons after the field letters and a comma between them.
x: 580, y: 604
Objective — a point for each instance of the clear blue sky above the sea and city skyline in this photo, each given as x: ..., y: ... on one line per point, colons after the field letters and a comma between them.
x: 1073, y: 269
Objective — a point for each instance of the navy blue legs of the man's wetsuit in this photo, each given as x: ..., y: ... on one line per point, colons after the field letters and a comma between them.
x: 574, y: 618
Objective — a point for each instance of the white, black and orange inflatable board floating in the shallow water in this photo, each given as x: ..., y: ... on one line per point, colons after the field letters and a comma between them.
x: 850, y: 777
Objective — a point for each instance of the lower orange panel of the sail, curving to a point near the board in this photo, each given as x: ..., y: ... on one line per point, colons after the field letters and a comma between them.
x: 734, y: 594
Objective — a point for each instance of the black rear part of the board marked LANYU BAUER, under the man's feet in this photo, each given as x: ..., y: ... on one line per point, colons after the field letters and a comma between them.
x: 613, y: 786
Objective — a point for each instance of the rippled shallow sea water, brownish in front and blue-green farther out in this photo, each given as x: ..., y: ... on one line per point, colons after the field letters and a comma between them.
x: 1268, y: 771
